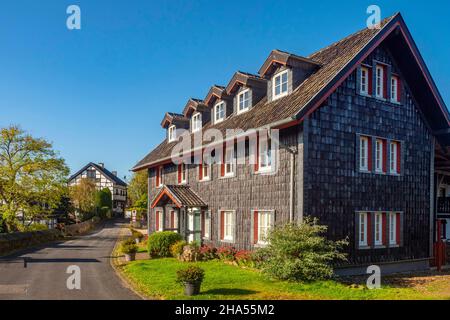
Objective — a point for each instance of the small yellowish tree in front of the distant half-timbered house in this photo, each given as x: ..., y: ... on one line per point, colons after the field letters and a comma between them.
x: 82, y: 196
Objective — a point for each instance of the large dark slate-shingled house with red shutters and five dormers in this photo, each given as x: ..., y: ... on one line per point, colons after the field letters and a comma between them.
x: 360, y: 122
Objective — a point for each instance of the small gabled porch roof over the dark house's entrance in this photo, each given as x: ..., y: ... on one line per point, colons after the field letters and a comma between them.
x: 180, y: 196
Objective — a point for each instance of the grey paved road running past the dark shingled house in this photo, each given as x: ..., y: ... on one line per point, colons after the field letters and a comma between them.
x: 45, y: 276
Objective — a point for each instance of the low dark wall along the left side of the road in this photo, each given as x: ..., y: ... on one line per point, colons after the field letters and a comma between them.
x: 15, y: 241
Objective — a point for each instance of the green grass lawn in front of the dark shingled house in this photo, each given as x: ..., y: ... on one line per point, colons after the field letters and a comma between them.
x: 156, y: 279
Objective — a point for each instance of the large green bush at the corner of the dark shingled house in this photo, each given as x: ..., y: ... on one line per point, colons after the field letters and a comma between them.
x: 299, y: 252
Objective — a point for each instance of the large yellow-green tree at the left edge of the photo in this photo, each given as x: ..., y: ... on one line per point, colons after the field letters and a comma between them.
x: 33, y: 178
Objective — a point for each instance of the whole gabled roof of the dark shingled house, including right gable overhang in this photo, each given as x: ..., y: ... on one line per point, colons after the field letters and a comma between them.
x: 337, y: 62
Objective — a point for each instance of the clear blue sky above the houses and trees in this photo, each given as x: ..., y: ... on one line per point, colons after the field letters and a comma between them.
x: 99, y: 94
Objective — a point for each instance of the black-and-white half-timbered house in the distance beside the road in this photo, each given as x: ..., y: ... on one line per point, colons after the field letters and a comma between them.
x: 104, y: 179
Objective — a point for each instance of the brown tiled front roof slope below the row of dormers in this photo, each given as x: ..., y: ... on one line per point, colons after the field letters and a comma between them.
x: 332, y: 58
